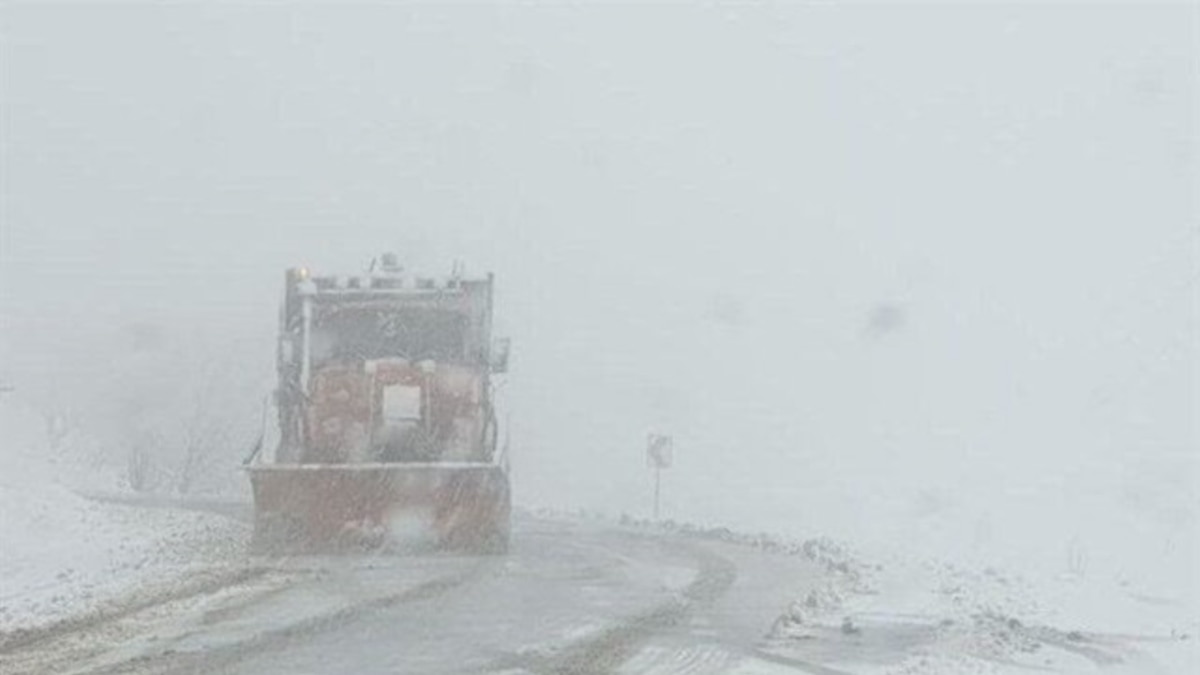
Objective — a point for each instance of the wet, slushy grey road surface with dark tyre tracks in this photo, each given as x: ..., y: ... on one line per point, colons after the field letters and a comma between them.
x: 572, y: 598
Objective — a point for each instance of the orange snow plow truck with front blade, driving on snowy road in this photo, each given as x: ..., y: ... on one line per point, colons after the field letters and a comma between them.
x: 389, y: 437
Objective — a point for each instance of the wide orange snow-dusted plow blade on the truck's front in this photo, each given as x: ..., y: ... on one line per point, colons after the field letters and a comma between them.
x: 337, y: 507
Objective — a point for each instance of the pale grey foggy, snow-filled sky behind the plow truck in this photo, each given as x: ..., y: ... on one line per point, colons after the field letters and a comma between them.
x: 921, y: 274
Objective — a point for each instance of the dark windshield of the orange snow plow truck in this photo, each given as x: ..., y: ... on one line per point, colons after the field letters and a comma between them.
x: 363, y: 334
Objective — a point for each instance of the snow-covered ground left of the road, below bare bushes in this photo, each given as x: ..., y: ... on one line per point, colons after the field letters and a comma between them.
x: 63, y: 557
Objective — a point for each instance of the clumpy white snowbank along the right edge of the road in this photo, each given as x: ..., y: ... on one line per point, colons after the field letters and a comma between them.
x: 908, y: 616
